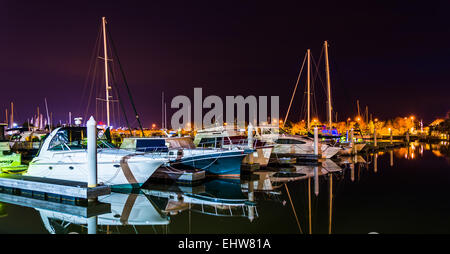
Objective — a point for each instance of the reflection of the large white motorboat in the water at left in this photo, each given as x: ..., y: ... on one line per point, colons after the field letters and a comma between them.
x: 127, y: 209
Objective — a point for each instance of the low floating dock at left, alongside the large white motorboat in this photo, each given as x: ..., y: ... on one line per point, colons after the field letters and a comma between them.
x: 54, y: 189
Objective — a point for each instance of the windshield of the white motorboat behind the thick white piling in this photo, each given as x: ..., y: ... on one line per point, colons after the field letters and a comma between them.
x: 74, y: 138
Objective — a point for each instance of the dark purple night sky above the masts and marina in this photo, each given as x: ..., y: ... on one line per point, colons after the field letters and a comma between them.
x: 394, y: 57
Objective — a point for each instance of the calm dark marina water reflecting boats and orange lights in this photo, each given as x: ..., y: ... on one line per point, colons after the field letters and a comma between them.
x: 401, y: 191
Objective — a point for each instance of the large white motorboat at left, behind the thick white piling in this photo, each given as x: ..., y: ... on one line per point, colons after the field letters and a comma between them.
x: 63, y: 155
